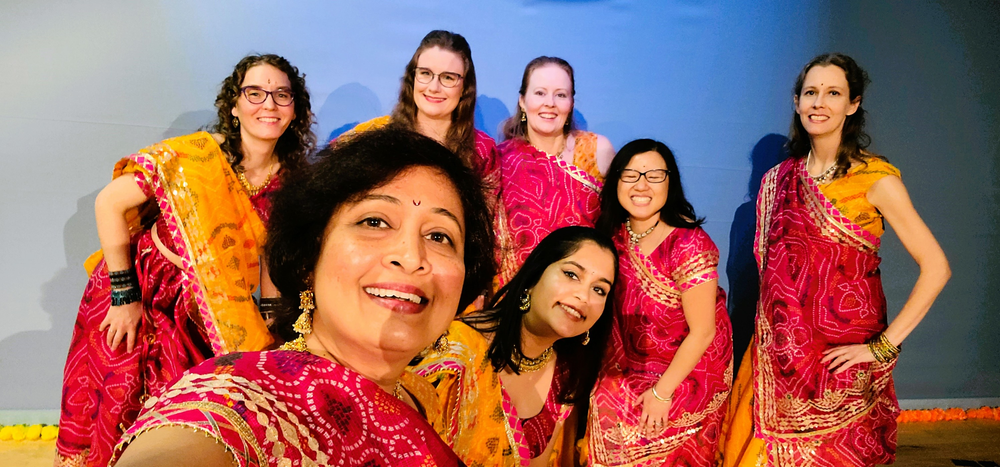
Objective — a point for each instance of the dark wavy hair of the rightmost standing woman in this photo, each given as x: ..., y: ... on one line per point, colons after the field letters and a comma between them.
x: 854, y: 141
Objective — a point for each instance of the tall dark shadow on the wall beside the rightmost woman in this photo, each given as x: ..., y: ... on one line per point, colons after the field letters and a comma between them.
x: 741, y: 267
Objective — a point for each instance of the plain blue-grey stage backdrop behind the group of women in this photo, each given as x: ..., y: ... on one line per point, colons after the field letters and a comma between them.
x: 86, y: 83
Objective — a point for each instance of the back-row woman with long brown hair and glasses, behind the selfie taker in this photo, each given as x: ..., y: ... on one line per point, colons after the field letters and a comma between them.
x: 437, y: 98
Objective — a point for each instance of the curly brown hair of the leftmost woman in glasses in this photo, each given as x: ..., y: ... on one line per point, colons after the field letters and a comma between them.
x: 298, y: 139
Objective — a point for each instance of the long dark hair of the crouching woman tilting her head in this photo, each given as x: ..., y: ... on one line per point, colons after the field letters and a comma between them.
x: 503, y: 315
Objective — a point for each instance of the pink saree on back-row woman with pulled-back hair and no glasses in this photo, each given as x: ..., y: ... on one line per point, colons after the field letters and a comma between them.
x: 539, y: 193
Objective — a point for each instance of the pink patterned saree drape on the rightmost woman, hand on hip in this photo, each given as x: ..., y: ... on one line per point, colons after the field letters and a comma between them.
x: 820, y: 287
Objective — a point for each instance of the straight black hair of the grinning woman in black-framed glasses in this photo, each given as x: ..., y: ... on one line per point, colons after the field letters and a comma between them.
x: 677, y: 211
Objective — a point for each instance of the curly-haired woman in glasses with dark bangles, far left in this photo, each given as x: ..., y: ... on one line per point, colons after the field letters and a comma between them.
x: 181, y: 226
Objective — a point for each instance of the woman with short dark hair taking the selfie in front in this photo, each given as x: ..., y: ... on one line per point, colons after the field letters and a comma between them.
x: 374, y: 249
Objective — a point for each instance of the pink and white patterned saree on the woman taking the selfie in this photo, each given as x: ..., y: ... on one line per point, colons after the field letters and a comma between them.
x: 283, y: 408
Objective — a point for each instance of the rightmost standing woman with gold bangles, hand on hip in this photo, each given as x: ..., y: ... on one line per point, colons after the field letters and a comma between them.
x: 816, y: 387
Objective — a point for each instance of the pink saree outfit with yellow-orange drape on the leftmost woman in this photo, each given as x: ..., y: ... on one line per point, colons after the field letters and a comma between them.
x: 190, y: 313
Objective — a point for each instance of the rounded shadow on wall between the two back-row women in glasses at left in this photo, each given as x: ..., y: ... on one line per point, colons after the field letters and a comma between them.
x: 344, y: 108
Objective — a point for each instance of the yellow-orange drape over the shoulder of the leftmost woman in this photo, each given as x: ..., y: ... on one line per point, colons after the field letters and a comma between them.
x: 215, y: 229
